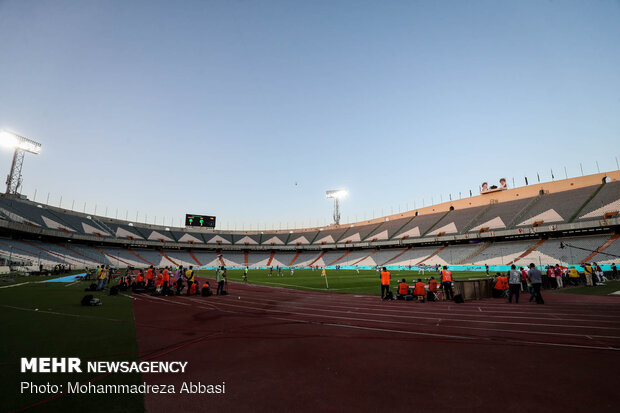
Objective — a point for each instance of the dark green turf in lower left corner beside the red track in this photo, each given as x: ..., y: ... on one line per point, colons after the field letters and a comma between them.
x: 63, y: 328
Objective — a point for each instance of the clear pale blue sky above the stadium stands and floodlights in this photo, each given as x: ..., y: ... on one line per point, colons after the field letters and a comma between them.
x: 219, y: 107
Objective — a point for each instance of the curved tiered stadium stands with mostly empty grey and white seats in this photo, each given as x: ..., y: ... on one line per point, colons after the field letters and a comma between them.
x: 521, y: 225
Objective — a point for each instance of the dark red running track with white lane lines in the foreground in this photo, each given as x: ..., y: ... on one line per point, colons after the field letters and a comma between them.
x: 286, y: 350
